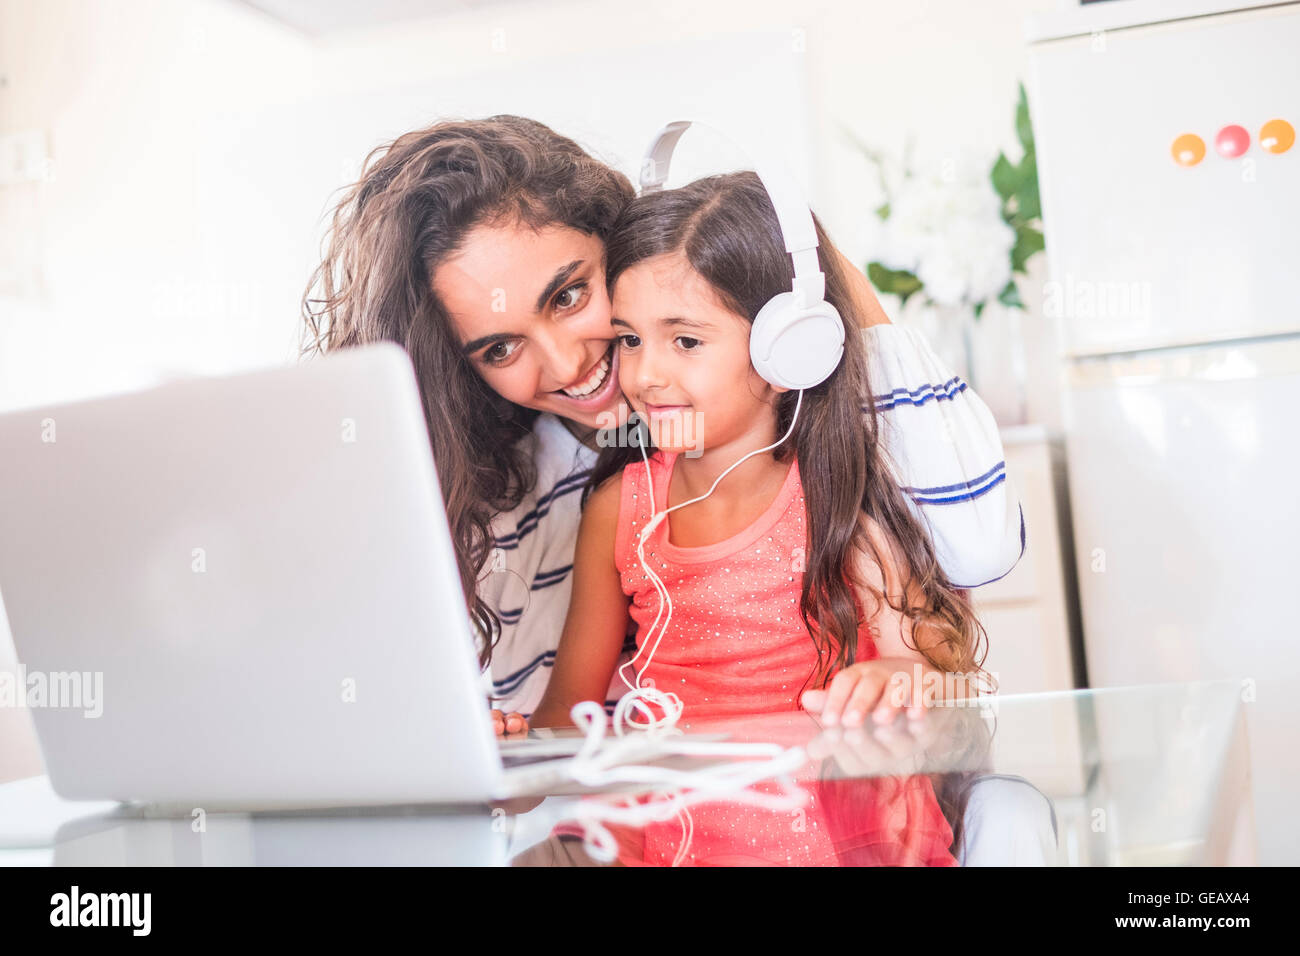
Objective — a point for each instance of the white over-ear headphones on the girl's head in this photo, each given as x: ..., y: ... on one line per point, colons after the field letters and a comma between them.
x: 799, y: 338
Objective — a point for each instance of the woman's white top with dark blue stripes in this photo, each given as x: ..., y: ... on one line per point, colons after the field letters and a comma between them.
x: 943, y: 447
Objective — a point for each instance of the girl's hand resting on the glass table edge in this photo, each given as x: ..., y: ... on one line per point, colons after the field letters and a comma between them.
x: 873, y: 687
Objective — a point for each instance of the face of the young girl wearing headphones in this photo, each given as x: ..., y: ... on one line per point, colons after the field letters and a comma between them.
x: 684, y: 362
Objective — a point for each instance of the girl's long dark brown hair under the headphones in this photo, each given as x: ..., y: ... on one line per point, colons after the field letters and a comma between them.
x: 729, y: 232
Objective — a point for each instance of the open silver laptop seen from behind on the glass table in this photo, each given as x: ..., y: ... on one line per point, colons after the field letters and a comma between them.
x: 241, y: 592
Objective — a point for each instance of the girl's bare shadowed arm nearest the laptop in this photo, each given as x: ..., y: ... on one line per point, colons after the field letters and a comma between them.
x: 597, y: 621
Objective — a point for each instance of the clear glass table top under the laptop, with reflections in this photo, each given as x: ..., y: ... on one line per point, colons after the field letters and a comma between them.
x: 1141, y: 776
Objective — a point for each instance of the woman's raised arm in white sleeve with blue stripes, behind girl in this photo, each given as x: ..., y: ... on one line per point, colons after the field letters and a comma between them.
x: 944, y: 447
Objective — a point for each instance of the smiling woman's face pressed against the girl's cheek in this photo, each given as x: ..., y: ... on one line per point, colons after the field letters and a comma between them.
x: 532, y: 315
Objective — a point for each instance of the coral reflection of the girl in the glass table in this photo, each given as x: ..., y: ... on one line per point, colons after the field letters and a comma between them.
x: 856, y: 802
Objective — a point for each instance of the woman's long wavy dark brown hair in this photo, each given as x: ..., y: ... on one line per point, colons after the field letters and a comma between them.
x: 415, y: 202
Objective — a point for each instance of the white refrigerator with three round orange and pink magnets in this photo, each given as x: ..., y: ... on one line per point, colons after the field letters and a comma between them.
x: 1171, y: 187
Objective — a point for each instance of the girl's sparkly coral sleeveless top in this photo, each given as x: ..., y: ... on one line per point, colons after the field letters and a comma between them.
x: 736, y: 643
